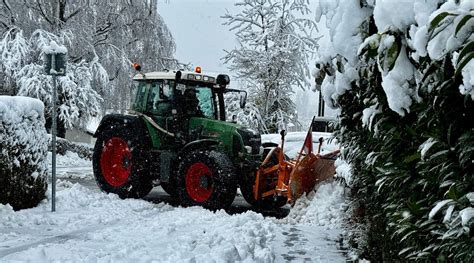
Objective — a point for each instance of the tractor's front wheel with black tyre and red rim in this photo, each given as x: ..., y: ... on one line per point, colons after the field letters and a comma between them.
x: 206, y: 178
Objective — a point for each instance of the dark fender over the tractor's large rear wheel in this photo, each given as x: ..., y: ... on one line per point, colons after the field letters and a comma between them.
x: 120, y: 121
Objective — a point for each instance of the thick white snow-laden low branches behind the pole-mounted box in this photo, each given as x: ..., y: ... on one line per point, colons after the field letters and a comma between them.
x: 22, y: 61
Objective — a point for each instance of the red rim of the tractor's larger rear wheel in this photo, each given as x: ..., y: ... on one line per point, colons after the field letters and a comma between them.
x: 116, y: 161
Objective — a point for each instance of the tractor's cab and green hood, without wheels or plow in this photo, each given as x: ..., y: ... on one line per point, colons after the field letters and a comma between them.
x: 184, y: 107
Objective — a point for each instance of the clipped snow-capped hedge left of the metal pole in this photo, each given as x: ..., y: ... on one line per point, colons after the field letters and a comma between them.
x: 23, y: 153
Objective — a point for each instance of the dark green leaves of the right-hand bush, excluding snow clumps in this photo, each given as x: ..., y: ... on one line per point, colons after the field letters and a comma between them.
x: 414, y: 173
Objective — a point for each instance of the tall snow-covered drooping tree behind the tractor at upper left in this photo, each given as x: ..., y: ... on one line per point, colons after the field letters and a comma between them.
x: 103, y: 38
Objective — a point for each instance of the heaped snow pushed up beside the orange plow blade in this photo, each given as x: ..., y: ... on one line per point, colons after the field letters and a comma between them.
x: 325, y: 207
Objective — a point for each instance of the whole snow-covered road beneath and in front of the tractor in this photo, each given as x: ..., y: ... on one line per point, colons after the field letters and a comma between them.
x: 91, y: 226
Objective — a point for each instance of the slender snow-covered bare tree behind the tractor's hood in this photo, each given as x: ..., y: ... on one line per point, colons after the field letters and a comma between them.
x: 275, y: 43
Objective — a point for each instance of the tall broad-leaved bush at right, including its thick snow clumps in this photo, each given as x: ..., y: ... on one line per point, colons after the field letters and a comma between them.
x: 401, y: 74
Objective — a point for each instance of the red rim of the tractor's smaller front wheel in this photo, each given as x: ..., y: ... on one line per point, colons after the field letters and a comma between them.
x: 199, y: 182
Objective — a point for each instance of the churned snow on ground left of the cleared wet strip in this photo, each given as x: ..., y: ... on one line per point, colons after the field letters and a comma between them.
x: 93, y: 226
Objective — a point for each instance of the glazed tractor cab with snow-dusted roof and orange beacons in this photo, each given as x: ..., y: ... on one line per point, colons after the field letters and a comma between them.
x: 190, y: 94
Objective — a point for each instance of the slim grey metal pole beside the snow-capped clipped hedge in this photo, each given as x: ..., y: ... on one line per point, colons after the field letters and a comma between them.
x: 53, y: 142
